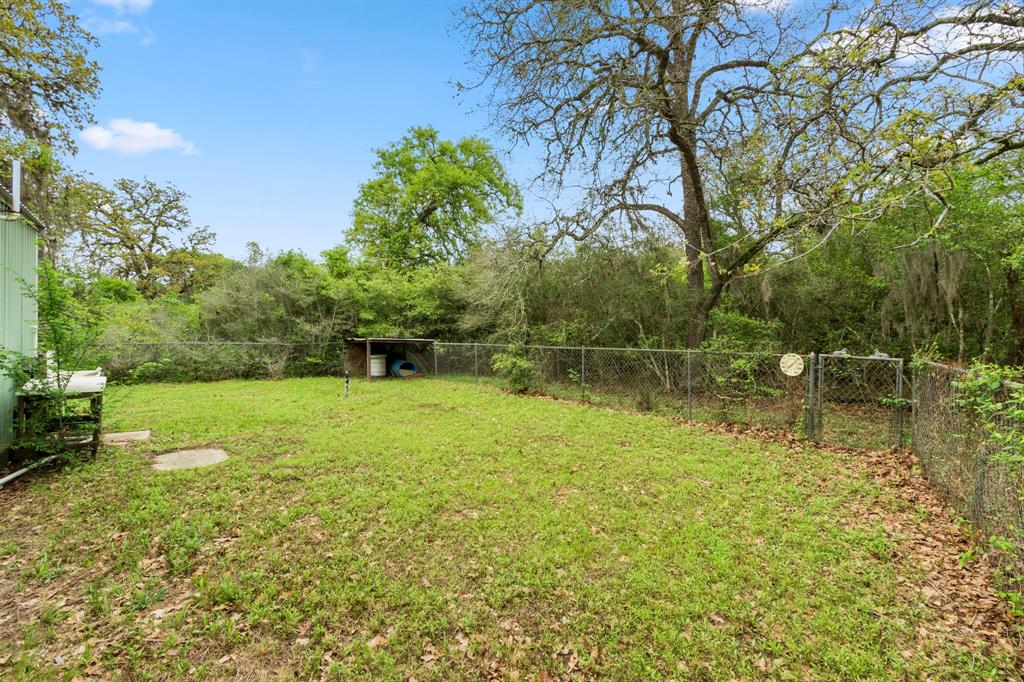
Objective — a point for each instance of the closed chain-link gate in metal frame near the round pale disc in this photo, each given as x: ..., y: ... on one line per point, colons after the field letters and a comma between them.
x: 861, y: 401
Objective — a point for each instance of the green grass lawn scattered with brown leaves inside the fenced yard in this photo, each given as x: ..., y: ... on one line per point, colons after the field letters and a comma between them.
x: 439, y: 531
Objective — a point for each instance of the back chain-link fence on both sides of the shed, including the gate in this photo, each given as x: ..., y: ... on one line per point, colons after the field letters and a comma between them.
x: 837, y: 399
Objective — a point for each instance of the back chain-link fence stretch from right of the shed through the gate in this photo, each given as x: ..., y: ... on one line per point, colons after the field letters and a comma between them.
x: 837, y: 399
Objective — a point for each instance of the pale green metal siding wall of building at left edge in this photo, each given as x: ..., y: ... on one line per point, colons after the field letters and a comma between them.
x: 19, y: 261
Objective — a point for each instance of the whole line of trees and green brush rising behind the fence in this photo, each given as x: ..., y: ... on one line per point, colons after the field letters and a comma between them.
x: 730, y: 176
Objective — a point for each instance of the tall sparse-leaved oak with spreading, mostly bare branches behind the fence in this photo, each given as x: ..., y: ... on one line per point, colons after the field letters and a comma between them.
x: 747, y: 124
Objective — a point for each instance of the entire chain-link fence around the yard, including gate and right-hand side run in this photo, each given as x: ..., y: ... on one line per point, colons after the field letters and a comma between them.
x: 836, y: 399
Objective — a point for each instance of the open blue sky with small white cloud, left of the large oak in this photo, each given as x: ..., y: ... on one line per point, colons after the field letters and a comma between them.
x: 268, y: 113
